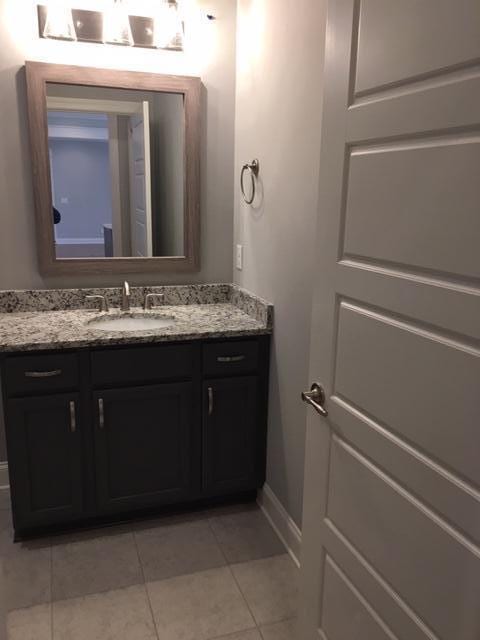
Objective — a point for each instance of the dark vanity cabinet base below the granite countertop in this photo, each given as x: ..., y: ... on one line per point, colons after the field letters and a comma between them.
x: 106, y: 433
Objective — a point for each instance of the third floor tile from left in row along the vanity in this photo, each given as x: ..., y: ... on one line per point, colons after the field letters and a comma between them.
x: 172, y: 550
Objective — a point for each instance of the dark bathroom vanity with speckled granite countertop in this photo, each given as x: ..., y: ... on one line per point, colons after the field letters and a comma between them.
x: 103, y: 424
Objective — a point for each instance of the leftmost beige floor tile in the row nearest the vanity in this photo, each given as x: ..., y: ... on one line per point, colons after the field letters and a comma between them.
x: 27, y: 574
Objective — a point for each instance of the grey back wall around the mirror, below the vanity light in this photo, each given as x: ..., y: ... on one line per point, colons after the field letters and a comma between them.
x: 210, y: 54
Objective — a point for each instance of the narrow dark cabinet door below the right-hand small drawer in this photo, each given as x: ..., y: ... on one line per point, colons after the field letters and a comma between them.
x: 231, y: 434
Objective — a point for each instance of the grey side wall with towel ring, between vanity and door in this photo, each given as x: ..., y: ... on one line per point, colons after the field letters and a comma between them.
x: 278, y: 111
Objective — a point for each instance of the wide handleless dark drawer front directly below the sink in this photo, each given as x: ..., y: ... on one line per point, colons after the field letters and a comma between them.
x: 140, y: 364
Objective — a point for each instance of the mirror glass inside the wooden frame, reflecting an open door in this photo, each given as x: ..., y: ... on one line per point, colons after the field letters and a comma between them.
x: 117, y: 171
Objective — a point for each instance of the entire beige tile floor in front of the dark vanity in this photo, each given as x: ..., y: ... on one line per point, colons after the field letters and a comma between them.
x: 220, y: 574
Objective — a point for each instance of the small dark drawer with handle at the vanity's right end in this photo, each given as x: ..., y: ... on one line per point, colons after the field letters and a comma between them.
x: 224, y: 358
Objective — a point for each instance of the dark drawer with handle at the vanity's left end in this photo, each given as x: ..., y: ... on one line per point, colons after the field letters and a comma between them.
x: 41, y: 373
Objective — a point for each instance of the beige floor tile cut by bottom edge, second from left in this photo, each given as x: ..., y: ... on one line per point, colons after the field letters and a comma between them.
x: 116, y: 615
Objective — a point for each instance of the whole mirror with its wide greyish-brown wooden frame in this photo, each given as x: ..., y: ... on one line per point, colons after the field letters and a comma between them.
x: 116, y: 164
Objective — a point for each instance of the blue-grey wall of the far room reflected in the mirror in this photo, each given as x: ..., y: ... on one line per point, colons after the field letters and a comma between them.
x: 81, y: 173
